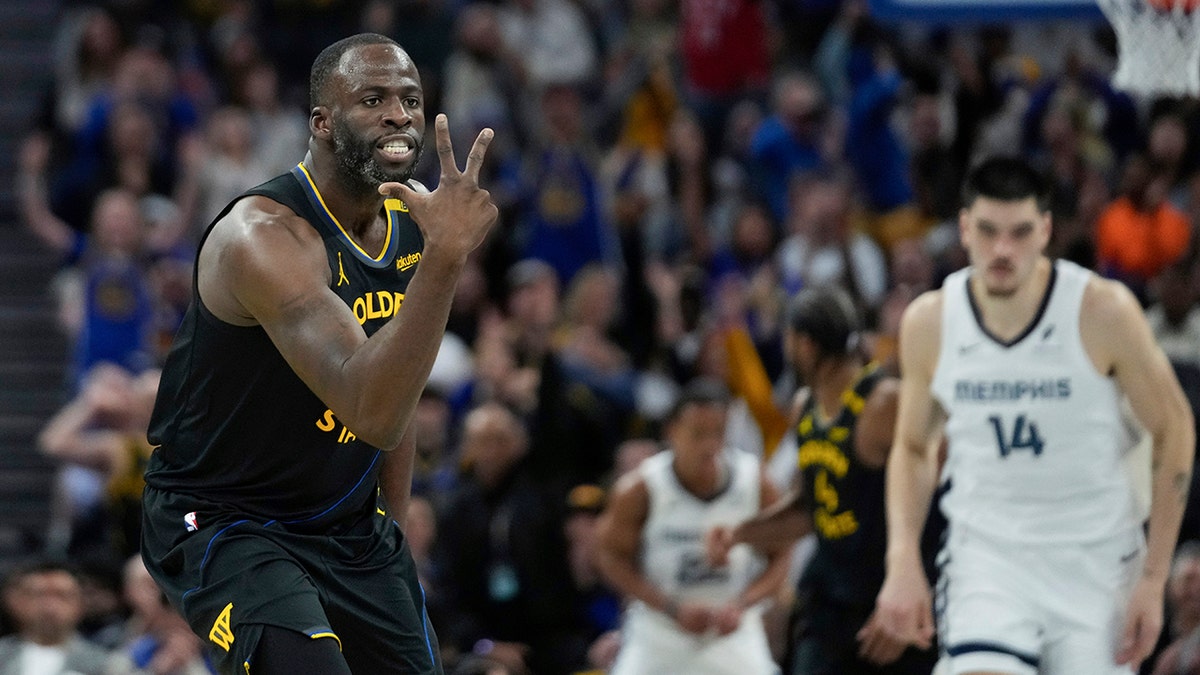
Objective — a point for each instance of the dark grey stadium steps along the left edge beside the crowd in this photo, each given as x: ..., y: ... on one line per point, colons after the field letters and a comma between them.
x: 33, y: 351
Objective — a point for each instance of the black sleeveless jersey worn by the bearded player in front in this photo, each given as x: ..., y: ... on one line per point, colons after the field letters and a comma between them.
x: 233, y: 422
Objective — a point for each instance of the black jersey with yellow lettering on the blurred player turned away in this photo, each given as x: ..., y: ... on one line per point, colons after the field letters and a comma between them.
x: 847, y: 500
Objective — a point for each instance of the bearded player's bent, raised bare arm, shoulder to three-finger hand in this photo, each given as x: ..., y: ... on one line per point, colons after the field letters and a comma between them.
x: 265, y: 266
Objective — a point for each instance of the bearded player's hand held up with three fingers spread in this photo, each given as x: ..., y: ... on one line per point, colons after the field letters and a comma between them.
x: 458, y: 216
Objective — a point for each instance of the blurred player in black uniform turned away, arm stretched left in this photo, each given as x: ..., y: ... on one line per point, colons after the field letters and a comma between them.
x: 843, y: 420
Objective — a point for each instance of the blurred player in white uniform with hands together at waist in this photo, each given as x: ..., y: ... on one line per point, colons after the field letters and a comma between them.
x: 688, y: 617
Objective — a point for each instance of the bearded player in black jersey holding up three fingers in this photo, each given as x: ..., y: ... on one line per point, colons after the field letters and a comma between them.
x: 285, y: 459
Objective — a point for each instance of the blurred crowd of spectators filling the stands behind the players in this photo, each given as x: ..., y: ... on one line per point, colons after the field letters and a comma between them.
x: 668, y: 174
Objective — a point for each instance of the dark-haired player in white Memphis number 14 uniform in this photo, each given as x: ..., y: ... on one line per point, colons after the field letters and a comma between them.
x: 1022, y: 362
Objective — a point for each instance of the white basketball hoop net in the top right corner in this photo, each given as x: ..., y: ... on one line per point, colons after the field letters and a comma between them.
x: 1159, y: 46
